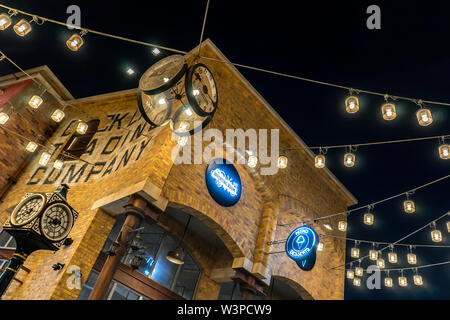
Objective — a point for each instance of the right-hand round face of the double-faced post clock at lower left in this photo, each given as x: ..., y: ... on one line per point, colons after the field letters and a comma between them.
x: 56, y: 222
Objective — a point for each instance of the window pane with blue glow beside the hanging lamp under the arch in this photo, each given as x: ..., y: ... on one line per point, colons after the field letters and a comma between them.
x: 164, y: 270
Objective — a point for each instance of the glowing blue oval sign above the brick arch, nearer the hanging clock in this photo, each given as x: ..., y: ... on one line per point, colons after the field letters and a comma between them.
x: 223, y: 182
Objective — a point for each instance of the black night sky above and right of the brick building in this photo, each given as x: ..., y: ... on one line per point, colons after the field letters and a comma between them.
x: 323, y: 40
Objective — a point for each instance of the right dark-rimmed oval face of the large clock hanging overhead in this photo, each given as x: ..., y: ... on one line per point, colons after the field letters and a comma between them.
x: 201, y: 90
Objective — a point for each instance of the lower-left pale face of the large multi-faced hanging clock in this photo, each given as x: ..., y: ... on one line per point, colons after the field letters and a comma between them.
x: 155, y: 109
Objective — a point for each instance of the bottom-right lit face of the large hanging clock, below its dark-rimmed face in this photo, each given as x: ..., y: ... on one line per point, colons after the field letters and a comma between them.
x: 186, y: 122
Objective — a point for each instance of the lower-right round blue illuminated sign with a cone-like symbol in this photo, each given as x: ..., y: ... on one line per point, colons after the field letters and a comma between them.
x: 301, y: 247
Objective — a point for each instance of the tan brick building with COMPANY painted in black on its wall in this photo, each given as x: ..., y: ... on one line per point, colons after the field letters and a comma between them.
x: 125, y: 160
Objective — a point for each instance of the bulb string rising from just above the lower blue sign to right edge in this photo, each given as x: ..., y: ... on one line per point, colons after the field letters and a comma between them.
x: 408, y: 207
